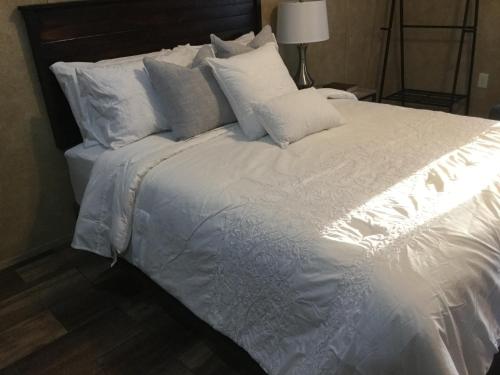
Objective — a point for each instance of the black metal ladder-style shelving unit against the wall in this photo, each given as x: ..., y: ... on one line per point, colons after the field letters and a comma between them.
x: 408, y: 96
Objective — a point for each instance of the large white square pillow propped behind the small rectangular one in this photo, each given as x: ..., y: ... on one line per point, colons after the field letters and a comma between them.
x: 253, y: 77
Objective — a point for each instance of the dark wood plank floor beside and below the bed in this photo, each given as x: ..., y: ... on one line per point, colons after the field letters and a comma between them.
x: 66, y: 312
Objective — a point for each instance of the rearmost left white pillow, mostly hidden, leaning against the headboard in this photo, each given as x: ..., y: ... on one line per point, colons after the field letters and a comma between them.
x: 67, y: 78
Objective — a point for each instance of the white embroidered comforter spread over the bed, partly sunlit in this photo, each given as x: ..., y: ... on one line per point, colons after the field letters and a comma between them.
x: 373, y: 248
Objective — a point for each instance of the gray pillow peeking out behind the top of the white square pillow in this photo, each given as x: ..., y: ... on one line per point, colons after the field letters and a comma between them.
x: 225, y: 49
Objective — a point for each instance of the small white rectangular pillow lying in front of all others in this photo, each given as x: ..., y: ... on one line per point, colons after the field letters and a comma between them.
x: 291, y: 117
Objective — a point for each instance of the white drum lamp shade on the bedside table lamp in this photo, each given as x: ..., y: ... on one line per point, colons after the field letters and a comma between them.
x: 302, y: 22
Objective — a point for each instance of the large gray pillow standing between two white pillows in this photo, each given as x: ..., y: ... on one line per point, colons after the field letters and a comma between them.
x: 191, y: 98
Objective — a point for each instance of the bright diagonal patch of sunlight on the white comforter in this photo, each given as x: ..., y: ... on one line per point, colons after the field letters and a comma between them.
x: 436, y: 189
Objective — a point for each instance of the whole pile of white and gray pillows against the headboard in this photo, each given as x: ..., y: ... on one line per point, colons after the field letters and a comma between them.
x: 193, y: 89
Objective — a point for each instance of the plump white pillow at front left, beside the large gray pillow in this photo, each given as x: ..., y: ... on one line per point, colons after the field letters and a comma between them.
x: 118, y: 104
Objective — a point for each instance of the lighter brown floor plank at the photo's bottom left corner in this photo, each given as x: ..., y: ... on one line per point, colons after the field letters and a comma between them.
x: 28, y: 336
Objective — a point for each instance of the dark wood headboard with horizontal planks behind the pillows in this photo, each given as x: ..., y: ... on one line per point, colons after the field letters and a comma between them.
x: 101, y: 29
